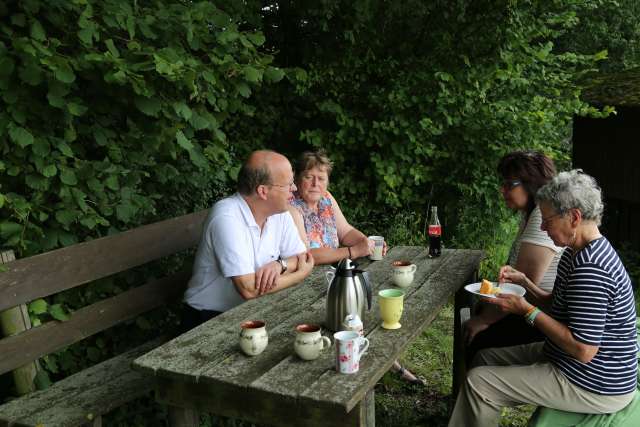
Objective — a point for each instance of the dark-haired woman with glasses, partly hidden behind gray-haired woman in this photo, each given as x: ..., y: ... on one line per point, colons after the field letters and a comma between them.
x: 523, y: 173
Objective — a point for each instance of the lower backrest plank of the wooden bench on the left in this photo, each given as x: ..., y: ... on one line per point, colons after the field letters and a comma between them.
x: 19, y: 349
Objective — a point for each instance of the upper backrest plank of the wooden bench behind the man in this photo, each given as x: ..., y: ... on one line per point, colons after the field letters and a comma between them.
x: 52, y: 272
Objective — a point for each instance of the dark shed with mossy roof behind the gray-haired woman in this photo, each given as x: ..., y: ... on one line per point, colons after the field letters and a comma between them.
x: 609, y: 150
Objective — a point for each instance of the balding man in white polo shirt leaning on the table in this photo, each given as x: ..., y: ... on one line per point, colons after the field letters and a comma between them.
x: 250, y: 245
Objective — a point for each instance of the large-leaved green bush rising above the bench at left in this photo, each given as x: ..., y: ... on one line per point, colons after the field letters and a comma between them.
x: 113, y: 113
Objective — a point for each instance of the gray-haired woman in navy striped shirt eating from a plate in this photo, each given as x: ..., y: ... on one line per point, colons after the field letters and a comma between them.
x: 588, y: 361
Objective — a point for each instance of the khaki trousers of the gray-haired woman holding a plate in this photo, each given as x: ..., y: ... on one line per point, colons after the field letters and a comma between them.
x: 512, y: 376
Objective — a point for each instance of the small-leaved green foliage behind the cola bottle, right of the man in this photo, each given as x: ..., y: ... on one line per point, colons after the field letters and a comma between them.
x: 415, y: 102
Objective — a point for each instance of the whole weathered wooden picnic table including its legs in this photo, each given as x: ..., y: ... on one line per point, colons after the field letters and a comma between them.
x: 204, y: 369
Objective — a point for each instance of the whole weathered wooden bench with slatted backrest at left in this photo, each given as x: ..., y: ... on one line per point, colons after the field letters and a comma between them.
x: 83, y: 397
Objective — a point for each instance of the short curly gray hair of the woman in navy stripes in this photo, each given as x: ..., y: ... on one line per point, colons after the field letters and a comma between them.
x: 573, y: 190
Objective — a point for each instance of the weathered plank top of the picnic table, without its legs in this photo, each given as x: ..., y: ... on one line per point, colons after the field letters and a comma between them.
x: 210, y: 355
